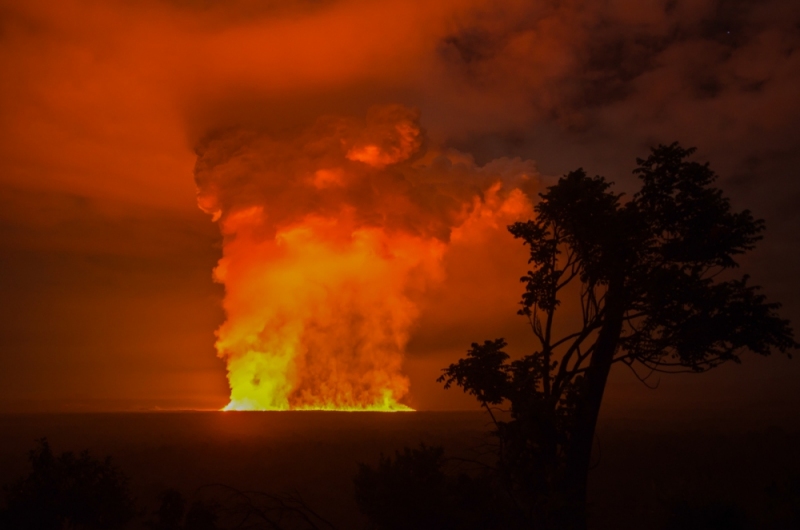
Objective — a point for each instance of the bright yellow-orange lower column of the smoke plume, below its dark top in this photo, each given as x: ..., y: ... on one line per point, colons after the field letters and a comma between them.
x: 319, y: 315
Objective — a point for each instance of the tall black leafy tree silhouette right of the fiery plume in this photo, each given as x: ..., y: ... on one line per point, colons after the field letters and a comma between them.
x: 652, y: 278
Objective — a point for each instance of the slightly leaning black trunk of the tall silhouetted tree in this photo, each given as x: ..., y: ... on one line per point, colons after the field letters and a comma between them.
x: 579, y: 452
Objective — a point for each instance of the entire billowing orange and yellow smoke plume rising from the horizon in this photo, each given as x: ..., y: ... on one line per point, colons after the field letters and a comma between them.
x: 330, y: 237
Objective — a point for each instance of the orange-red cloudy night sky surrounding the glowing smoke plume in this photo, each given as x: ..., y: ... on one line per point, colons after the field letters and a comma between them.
x: 107, y: 259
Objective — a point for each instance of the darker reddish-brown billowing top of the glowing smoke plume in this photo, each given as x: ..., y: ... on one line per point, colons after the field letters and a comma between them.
x: 379, y: 169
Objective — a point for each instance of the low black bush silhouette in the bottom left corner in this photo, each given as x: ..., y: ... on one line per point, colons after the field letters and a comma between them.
x: 67, y: 492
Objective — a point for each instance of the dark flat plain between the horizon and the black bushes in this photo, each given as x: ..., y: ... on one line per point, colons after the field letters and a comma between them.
x: 645, y: 467
